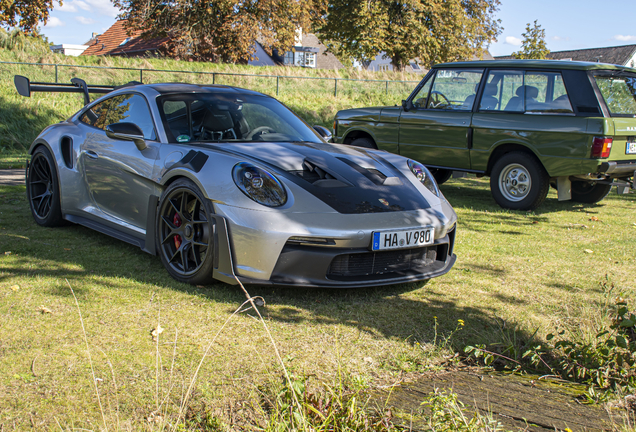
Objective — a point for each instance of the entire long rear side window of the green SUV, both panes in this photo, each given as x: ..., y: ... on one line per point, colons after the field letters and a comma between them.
x: 532, y: 92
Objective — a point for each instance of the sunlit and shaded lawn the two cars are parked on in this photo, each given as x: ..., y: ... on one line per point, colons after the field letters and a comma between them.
x: 530, y: 270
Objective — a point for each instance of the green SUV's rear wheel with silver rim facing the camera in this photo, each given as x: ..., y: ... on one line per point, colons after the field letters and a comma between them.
x: 518, y: 181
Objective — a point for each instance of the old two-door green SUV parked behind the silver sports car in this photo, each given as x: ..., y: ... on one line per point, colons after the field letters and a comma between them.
x: 527, y: 124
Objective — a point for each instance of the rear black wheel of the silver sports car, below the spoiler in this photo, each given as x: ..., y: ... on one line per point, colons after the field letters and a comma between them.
x: 43, y: 189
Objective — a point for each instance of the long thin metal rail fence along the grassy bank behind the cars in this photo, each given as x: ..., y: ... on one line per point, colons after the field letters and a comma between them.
x: 384, y: 84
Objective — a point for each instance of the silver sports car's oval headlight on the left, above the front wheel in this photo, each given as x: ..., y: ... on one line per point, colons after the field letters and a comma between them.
x: 259, y: 185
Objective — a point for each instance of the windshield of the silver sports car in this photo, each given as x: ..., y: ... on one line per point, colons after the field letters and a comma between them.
x: 224, y: 117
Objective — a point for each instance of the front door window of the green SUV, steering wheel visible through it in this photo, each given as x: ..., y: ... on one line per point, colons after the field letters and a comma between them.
x: 454, y: 89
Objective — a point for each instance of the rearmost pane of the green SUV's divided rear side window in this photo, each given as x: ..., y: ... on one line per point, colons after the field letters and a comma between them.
x: 545, y: 93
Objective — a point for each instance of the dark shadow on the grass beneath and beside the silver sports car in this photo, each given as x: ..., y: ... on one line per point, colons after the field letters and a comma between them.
x: 77, y: 253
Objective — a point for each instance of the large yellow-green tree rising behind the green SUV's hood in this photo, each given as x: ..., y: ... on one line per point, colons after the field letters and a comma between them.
x: 433, y: 31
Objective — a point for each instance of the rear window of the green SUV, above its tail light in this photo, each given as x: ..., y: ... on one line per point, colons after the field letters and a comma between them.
x: 619, y: 92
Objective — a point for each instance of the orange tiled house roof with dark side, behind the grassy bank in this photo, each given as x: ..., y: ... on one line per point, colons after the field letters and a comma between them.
x: 111, y: 42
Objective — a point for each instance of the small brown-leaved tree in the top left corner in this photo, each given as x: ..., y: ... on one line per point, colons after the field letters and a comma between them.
x: 25, y: 14
